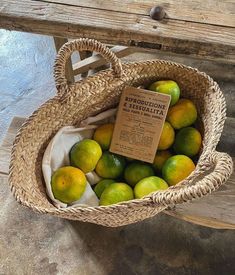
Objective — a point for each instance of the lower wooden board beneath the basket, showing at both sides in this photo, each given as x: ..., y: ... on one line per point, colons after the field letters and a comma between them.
x: 216, y: 210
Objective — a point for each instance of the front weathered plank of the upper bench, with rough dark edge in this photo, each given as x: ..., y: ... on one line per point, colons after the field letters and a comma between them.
x: 119, y: 28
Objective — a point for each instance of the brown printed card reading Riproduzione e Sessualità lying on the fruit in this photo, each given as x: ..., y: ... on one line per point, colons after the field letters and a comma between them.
x: 140, y: 118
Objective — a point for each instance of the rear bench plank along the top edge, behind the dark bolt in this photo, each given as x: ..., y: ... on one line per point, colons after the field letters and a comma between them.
x: 207, y: 12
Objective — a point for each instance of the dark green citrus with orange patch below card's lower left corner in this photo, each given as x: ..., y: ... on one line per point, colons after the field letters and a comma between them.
x: 110, y: 166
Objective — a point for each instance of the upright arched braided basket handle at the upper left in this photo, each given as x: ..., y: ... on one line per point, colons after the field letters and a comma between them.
x: 82, y: 44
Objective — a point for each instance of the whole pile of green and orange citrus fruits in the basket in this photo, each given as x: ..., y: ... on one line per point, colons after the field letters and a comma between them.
x: 122, y: 178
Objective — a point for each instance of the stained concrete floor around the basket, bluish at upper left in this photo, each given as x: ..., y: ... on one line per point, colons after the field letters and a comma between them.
x: 40, y: 244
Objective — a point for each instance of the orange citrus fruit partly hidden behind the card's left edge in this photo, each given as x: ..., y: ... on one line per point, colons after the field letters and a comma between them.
x: 103, y: 135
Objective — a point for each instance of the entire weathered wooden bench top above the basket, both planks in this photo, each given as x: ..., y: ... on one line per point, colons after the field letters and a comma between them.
x: 196, y: 28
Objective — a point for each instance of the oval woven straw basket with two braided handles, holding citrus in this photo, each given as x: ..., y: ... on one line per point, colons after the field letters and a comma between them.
x: 75, y: 102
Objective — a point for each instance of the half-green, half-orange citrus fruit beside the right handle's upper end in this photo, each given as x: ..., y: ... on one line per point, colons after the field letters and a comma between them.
x: 177, y: 168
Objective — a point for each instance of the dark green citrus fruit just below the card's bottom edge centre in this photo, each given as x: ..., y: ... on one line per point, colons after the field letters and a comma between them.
x: 136, y: 171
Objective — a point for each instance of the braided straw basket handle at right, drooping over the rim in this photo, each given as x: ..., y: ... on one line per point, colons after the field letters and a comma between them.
x: 222, y: 165
